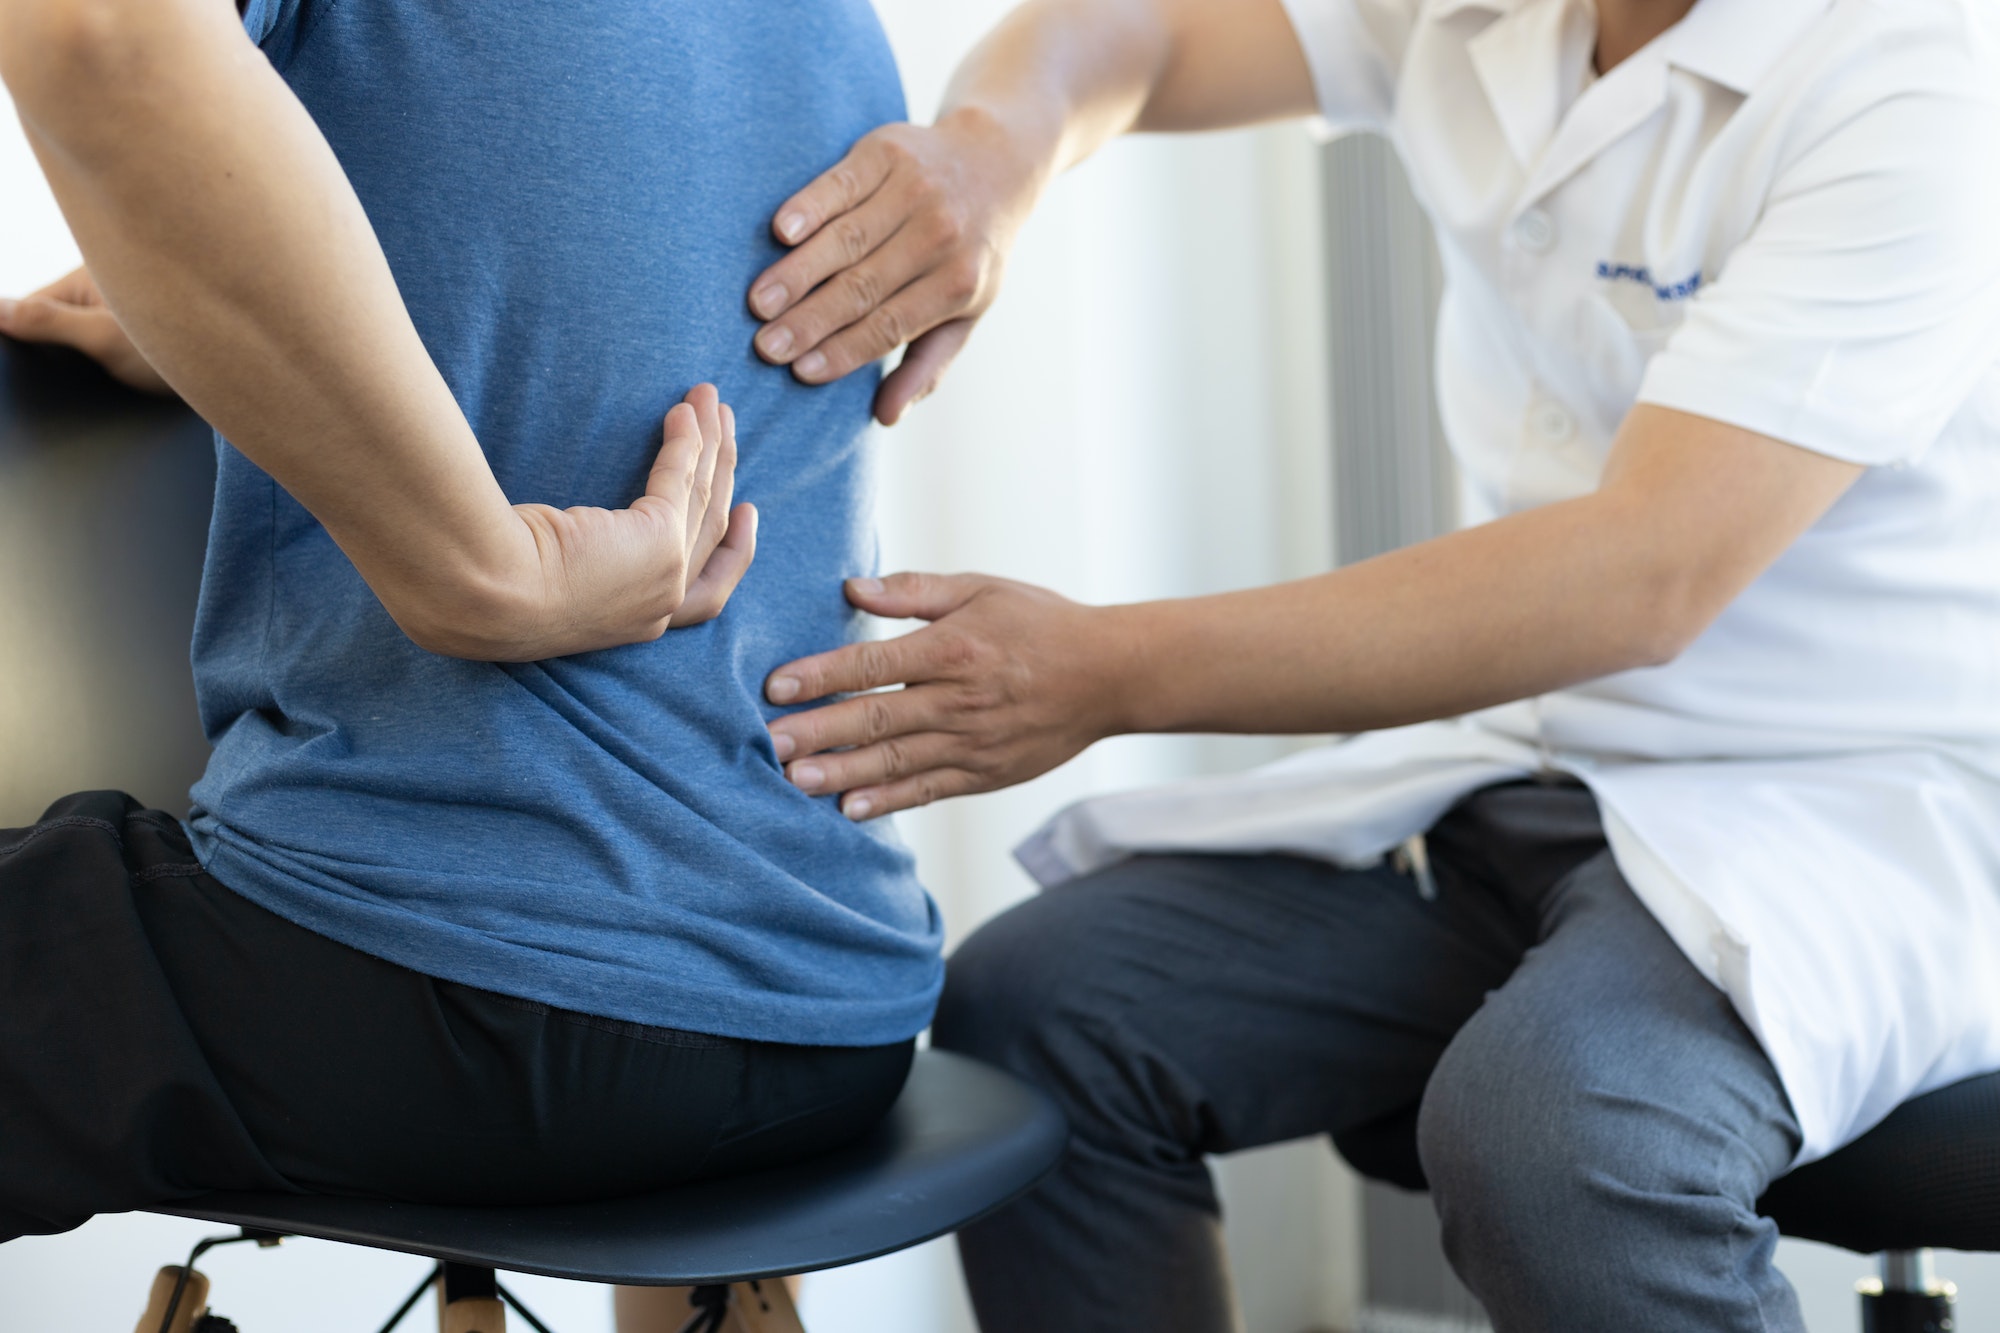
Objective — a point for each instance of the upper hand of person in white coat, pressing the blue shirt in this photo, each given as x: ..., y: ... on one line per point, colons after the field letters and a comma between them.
x: 899, y: 243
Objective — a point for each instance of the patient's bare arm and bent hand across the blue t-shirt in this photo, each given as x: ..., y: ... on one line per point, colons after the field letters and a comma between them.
x: 237, y: 257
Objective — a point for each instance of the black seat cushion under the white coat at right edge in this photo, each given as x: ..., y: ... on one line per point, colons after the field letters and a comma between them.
x: 1927, y: 1178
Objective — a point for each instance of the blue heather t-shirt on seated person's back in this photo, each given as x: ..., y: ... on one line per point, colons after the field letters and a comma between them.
x: 575, y: 201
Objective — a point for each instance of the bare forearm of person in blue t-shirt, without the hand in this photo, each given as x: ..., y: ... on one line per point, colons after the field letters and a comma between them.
x: 235, y: 253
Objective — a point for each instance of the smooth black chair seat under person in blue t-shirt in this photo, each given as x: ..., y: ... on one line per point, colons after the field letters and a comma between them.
x: 961, y: 1142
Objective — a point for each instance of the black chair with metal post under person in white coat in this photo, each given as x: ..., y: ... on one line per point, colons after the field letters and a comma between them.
x: 1927, y: 1178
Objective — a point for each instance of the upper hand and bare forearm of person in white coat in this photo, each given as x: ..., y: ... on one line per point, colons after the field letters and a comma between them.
x: 905, y: 239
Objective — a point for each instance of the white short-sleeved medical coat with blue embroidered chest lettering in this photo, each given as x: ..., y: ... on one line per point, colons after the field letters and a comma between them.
x: 1783, y: 215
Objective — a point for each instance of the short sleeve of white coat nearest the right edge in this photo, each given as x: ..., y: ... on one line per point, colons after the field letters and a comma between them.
x: 1863, y: 307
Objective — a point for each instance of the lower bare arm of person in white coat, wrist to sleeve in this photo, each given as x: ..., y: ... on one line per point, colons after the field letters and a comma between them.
x: 1691, y: 511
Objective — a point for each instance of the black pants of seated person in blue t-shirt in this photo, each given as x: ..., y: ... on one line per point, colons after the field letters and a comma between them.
x: 163, y: 1038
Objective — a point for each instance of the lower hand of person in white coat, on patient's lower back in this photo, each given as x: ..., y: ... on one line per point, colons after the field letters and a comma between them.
x: 1003, y: 686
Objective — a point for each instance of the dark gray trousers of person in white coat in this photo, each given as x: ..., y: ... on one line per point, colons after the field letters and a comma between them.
x: 1593, y: 1118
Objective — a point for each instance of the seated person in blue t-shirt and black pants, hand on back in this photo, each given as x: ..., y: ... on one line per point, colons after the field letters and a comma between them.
x: 495, y: 888
